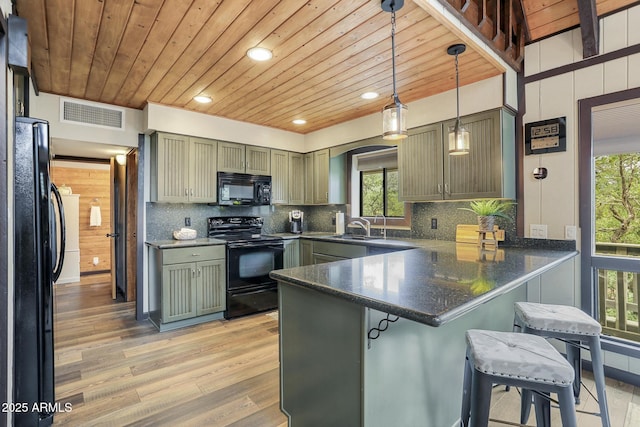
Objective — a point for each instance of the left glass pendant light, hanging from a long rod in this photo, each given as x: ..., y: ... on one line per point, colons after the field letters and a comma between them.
x: 394, y: 115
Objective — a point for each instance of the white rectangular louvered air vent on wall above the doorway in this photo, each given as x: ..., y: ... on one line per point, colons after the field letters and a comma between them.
x: 91, y: 114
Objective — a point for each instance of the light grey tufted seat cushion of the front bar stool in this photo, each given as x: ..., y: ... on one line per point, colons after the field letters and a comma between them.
x: 515, y: 355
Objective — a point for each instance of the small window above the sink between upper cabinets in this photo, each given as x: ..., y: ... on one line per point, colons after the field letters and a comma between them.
x: 374, y: 187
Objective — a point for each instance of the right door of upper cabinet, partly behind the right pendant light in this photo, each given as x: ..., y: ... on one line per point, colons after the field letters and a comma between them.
x: 477, y: 174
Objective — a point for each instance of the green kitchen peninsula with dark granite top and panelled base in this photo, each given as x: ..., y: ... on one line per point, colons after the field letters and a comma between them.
x: 379, y: 340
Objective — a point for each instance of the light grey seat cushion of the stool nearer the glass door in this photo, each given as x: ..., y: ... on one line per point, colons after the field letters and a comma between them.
x: 557, y: 318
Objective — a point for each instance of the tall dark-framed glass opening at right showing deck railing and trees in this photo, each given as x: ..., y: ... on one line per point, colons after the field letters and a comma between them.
x: 610, y: 213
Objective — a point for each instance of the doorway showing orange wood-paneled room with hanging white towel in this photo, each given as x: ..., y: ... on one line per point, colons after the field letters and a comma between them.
x: 107, y: 207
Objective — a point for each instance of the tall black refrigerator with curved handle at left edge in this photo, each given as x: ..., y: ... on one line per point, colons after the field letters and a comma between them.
x: 37, y: 265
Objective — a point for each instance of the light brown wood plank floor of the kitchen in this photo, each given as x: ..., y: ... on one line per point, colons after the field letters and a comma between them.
x: 116, y: 371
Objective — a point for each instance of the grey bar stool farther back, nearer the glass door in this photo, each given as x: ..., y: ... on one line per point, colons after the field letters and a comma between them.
x: 573, y: 326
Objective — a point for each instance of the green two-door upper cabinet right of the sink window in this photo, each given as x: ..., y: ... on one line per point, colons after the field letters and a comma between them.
x: 428, y: 172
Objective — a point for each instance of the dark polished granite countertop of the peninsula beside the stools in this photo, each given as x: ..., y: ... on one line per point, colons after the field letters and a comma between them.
x: 432, y: 284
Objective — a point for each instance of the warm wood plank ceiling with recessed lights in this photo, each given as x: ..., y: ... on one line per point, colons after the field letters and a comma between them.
x: 326, y: 54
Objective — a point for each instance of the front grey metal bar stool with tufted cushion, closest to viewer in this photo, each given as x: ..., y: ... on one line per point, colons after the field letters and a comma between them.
x: 515, y: 359
